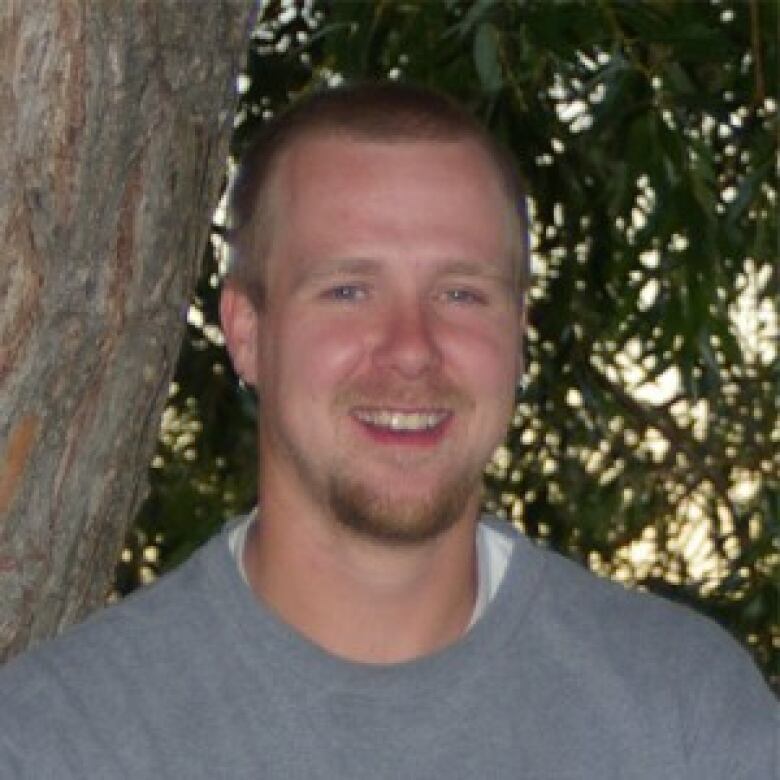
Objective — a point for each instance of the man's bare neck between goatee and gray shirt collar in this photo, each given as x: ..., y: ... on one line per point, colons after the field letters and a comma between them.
x: 357, y: 598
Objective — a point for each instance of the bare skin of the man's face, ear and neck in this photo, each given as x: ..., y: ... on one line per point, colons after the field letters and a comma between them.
x: 390, y: 289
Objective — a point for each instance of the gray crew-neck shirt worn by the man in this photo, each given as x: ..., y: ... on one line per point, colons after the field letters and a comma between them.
x: 565, y: 676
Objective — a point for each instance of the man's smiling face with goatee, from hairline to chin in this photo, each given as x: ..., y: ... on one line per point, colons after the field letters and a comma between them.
x: 388, y: 347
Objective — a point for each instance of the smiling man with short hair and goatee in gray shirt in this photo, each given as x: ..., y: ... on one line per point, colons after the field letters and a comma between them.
x: 363, y: 623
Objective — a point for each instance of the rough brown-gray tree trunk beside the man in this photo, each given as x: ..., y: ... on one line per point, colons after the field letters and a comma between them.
x: 114, y: 122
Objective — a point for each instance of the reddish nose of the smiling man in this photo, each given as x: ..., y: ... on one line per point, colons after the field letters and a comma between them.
x: 408, y: 343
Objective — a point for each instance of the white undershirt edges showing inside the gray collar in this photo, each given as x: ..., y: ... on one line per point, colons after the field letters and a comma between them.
x: 493, y: 551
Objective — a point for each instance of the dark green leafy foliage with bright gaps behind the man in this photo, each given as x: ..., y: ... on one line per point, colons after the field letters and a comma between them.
x: 645, y: 441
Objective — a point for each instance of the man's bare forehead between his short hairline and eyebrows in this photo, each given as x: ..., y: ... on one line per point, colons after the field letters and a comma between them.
x: 340, y: 189
